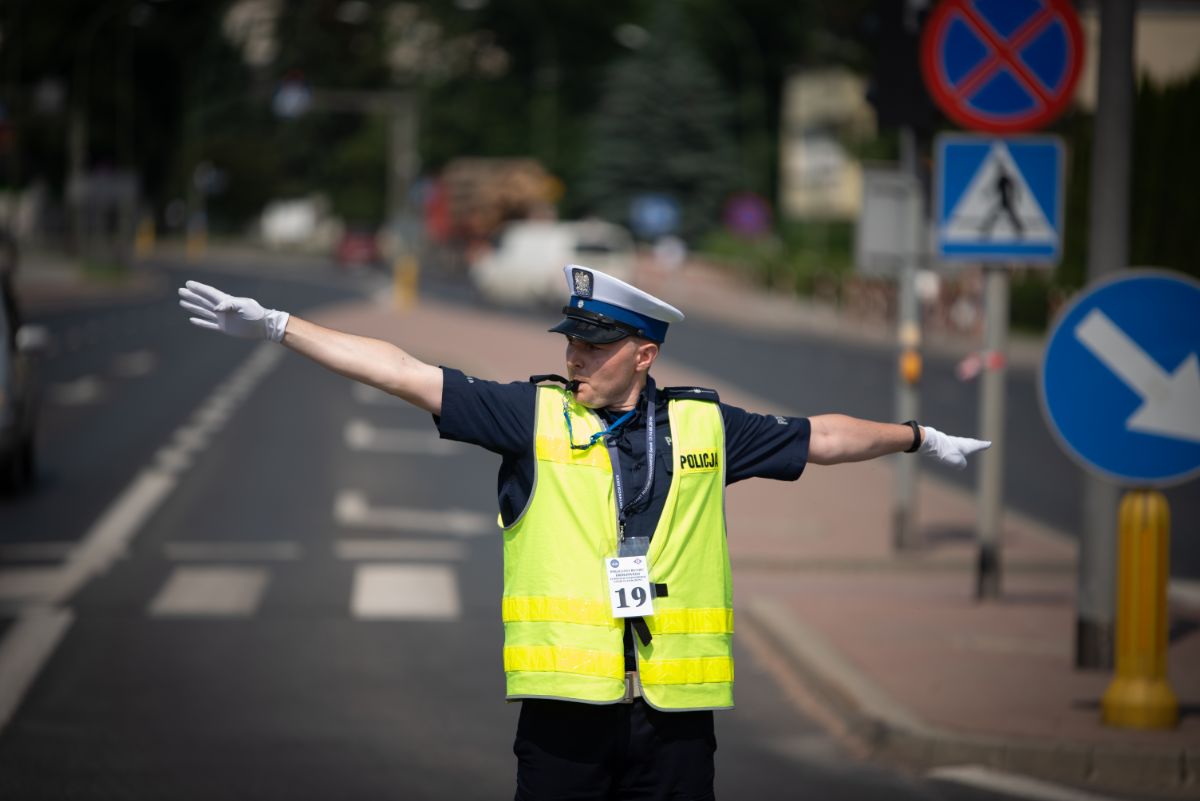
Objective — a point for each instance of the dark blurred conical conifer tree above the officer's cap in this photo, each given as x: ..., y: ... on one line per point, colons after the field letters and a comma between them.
x: 664, y: 127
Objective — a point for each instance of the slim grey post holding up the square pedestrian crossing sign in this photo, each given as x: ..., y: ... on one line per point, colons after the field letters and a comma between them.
x: 992, y: 425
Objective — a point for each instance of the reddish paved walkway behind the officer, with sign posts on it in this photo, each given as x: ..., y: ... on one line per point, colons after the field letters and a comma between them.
x: 898, y: 652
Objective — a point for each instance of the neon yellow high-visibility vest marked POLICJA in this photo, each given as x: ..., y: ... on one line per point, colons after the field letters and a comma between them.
x: 561, y: 640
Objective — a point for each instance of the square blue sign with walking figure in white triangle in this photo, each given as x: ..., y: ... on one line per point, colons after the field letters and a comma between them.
x: 999, y: 200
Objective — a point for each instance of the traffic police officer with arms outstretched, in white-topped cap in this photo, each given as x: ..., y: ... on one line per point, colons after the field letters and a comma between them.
x: 617, y: 604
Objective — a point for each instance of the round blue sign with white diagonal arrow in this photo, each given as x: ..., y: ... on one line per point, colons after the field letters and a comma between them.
x: 1120, y: 383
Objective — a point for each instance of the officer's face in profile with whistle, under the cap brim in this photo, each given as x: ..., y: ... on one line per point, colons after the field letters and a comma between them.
x: 611, y: 375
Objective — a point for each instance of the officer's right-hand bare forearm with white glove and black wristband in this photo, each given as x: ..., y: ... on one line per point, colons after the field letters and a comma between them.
x: 836, y: 439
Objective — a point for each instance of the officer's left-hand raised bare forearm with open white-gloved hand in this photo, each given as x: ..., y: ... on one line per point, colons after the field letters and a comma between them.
x: 363, y: 359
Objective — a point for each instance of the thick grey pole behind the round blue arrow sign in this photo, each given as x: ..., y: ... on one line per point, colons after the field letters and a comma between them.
x: 1108, y: 250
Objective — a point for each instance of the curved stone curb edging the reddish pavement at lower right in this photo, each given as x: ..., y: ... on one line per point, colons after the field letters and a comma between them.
x: 892, y: 733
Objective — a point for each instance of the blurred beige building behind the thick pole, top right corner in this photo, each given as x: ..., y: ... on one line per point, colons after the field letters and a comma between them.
x: 1167, y: 44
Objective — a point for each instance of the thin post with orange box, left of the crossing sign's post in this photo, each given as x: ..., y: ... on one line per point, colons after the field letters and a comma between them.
x: 904, y: 528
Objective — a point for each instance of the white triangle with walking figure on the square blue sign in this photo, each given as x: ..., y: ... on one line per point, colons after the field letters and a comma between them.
x: 994, y: 214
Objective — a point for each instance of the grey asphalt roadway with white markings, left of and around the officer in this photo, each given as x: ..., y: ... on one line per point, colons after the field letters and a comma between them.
x: 260, y: 637
